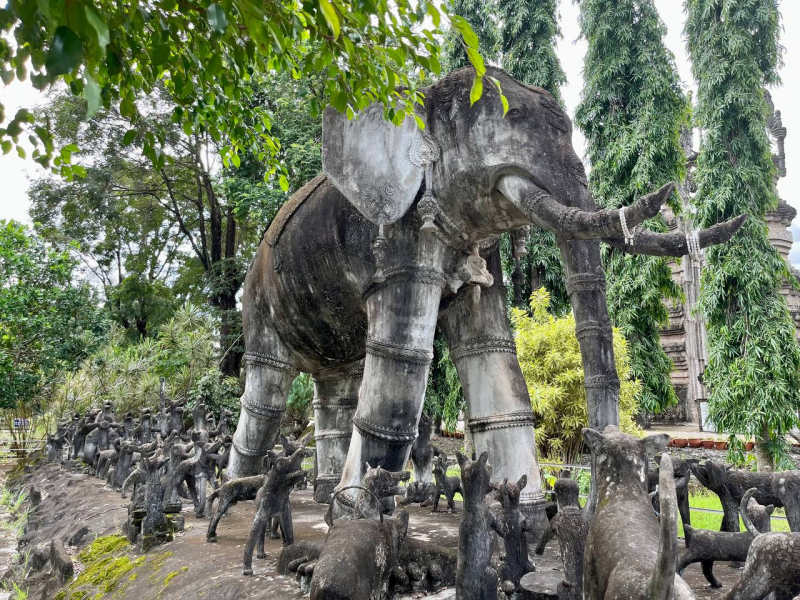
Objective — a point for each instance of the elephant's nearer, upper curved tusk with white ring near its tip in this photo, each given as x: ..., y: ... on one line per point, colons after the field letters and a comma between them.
x: 576, y: 224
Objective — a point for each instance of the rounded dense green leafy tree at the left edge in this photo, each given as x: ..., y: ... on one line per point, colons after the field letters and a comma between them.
x: 47, y: 322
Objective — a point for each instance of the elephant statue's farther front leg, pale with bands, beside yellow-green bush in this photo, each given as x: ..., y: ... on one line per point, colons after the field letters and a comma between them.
x: 498, y: 405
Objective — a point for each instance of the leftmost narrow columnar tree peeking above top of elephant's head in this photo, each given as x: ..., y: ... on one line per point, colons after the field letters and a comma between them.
x: 479, y: 15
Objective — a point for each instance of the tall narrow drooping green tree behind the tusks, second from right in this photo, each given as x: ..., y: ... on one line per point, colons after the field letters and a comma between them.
x: 631, y: 111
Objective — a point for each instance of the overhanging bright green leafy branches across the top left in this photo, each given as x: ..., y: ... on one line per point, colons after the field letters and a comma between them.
x: 205, y: 53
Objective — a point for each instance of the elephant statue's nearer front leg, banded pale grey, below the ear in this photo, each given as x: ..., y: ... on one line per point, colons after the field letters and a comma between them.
x: 401, y: 314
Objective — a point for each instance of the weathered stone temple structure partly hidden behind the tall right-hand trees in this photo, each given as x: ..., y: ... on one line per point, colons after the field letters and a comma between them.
x: 684, y: 338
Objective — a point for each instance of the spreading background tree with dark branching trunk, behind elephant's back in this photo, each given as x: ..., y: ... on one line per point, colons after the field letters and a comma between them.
x: 188, y: 224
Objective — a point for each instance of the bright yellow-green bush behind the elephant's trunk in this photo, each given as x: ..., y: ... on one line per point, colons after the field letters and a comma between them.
x: 551, y: 362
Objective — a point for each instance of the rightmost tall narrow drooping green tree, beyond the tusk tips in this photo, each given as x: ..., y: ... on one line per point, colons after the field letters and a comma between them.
x: 754, y: 360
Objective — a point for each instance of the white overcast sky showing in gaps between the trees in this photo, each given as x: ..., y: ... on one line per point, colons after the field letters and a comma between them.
x: 14, y: 172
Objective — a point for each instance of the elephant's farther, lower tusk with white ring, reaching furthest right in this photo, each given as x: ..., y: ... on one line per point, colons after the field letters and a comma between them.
x: 676, y: 244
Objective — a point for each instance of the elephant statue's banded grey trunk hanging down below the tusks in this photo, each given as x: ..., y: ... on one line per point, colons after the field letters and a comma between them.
x: 586, y: 286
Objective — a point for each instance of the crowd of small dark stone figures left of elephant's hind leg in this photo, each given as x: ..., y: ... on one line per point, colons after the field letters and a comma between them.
x: 156, y: 457
